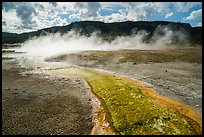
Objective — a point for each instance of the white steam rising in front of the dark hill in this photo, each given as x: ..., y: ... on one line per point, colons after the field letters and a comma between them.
x: 56, y: 44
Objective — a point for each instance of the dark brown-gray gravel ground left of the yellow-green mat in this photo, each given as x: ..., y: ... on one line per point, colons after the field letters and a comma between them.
x: 33, y: 105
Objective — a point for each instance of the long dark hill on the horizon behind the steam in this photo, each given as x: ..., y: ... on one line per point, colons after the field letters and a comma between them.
x: 109, y: 31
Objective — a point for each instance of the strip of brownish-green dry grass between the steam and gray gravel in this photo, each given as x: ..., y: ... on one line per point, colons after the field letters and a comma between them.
x: 187, y: 54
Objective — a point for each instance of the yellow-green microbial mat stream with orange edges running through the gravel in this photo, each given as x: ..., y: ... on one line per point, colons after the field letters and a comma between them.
x: 133, y: 108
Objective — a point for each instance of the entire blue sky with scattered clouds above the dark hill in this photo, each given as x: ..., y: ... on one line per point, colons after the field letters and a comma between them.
x: 19, y: 17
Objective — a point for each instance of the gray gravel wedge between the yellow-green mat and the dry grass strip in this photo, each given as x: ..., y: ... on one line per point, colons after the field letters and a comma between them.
x: 180, y: 81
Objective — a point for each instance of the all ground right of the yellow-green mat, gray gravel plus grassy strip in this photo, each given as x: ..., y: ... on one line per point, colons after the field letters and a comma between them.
x: 174, y: 72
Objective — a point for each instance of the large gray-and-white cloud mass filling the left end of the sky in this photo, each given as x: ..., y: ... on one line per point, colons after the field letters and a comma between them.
x: 23, y: 17
